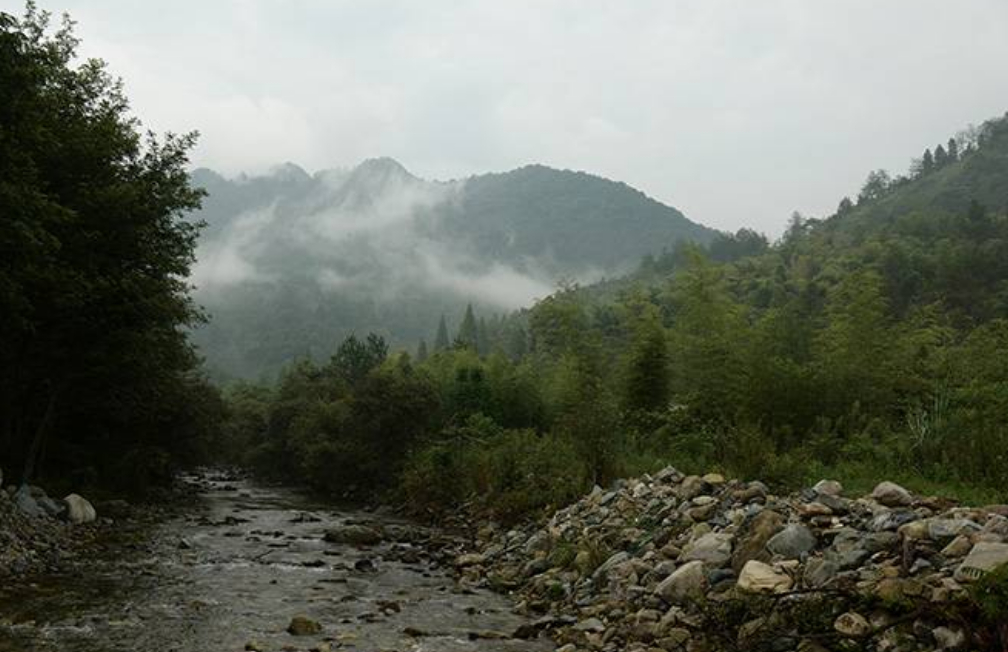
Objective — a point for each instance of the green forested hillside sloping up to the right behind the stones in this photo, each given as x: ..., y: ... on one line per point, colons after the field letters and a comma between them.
x: 869, y: 344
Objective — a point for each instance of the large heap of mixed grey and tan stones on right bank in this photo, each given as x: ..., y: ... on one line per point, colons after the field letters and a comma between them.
x: 687, y: 563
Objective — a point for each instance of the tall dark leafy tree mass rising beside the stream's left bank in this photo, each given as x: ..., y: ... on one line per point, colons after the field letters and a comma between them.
x: 96, y: 374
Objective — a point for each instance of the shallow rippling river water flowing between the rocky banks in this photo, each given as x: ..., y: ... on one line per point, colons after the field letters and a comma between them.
x: 235, y: 573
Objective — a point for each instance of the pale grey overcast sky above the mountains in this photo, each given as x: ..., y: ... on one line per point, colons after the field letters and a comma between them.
x: 736, y: 112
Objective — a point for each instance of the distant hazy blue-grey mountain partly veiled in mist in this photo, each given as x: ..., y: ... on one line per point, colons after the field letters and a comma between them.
x: 290, y: 264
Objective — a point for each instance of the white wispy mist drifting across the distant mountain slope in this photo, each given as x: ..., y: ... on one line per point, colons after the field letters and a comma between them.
x: 364, y: 234
